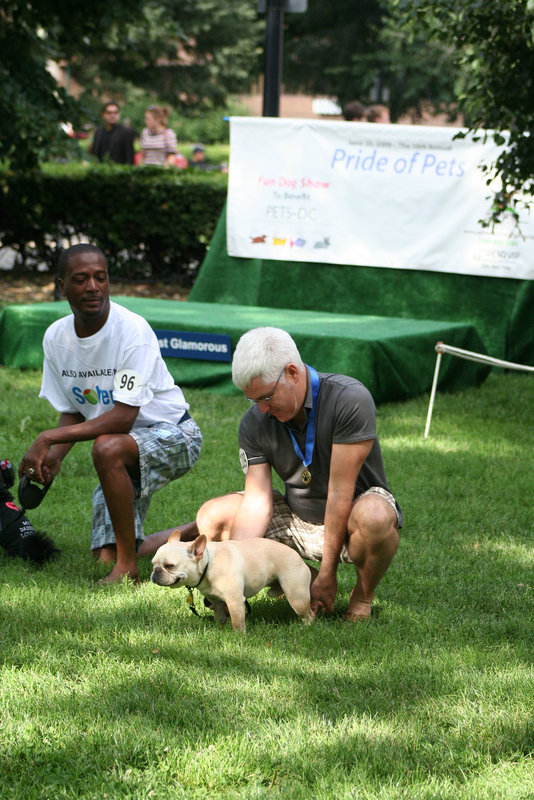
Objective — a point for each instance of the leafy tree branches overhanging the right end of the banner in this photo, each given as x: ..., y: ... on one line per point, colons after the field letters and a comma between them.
x: 494, y: 51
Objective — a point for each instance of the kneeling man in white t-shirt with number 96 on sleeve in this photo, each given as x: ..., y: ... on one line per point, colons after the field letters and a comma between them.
x: 104, y: 373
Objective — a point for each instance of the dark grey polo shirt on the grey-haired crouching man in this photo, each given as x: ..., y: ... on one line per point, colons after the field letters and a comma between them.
x: 345, y: 414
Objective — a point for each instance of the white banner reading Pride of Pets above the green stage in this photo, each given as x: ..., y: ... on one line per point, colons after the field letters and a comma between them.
x: 365, y: 194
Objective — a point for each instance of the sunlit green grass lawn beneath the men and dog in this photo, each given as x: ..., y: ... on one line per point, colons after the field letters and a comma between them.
x: 123, y: 693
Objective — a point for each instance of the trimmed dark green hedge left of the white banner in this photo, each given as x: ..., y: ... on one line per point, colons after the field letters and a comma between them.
x: 152, y: 223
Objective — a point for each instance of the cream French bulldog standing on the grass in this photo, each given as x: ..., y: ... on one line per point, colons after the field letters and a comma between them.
x: 229, y: 572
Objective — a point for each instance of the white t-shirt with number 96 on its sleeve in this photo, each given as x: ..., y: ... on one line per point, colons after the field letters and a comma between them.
x: 121, y: 362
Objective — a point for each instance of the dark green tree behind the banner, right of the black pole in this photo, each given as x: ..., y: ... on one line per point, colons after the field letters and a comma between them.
x: 349, y: 49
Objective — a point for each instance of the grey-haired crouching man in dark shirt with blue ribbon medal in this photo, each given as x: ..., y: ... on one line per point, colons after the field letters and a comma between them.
x: 318, y: 432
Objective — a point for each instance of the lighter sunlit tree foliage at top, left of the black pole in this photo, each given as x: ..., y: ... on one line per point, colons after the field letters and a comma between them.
x: 191, y: 54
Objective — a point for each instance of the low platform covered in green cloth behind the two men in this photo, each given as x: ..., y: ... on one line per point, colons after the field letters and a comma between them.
x: 393, y: 357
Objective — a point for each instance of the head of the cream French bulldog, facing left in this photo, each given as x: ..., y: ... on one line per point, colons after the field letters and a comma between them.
x: 178, y: 563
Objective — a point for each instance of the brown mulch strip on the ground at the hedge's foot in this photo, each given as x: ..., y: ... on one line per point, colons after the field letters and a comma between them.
x: 39, y: 288
